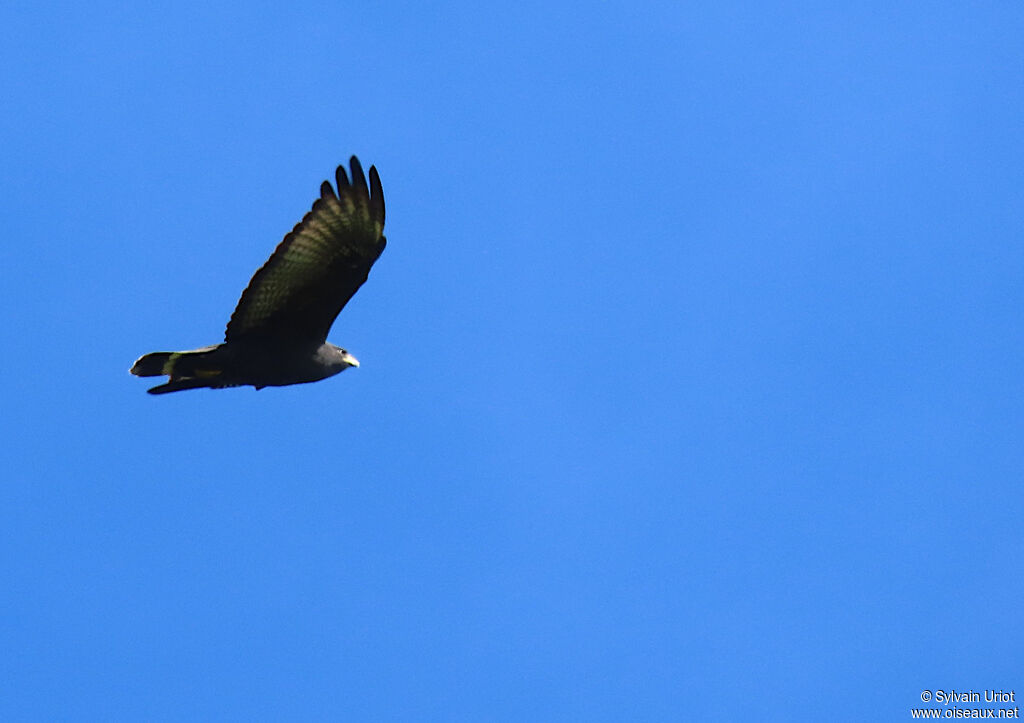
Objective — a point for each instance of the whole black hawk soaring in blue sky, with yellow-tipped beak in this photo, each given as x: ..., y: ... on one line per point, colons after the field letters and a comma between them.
x: 278, y: 334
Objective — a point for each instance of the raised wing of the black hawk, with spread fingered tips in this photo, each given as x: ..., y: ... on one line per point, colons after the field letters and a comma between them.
x: 313, y: 274
